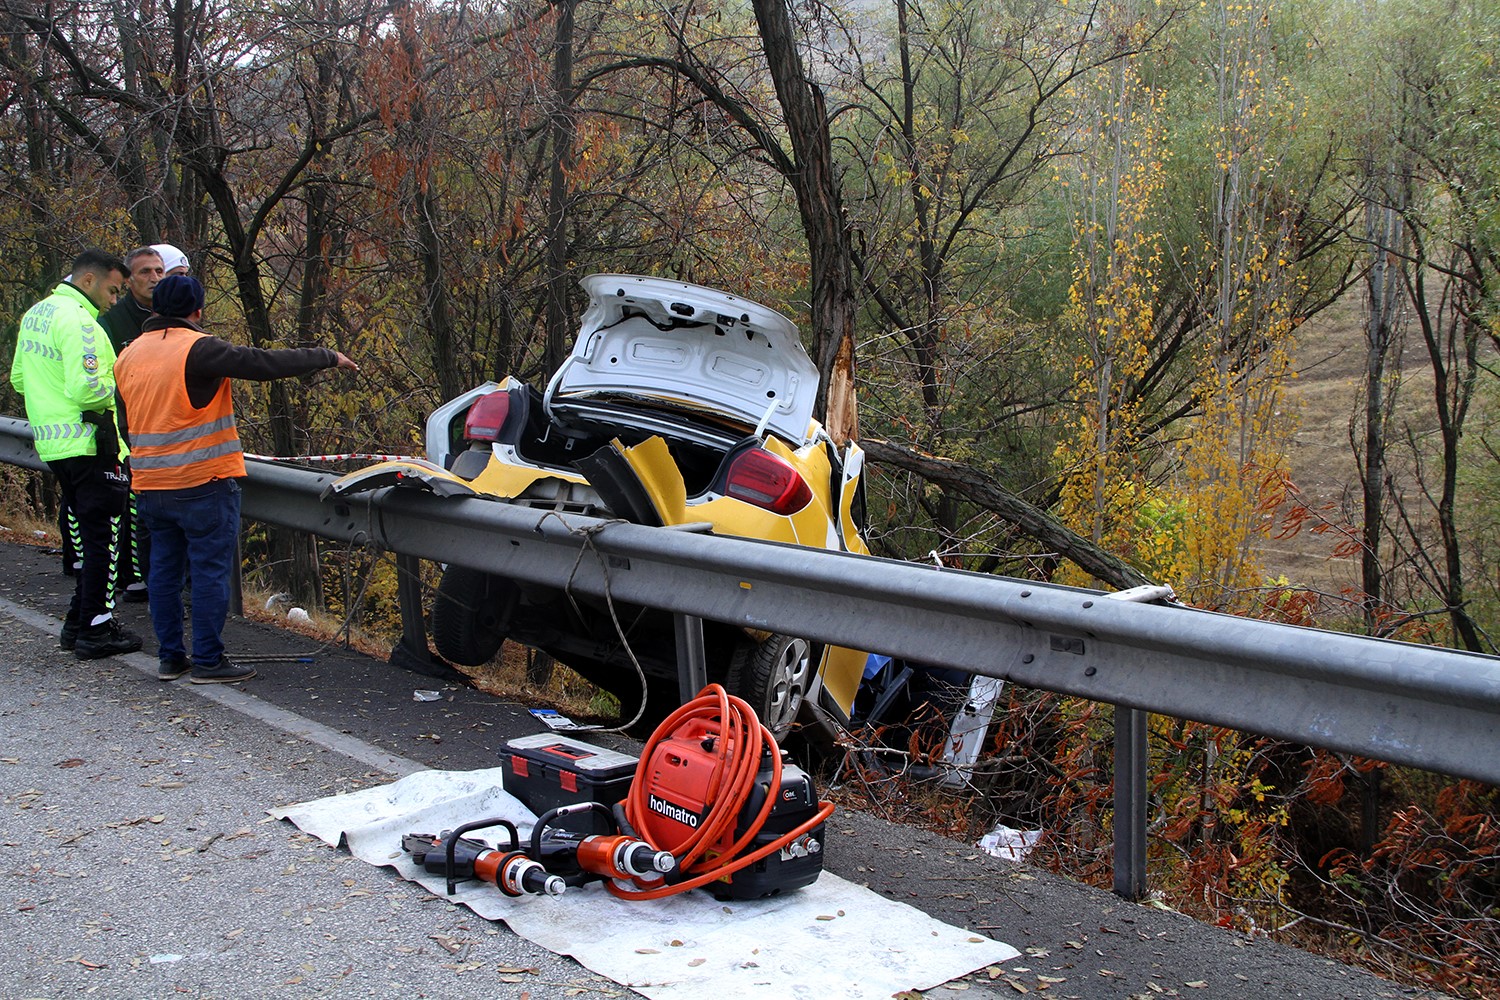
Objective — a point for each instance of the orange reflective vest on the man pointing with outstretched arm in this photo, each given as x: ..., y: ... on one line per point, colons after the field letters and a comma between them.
x: 175, y: 446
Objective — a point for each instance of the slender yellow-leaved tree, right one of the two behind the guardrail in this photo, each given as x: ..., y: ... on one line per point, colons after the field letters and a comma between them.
x: 1244, y: 275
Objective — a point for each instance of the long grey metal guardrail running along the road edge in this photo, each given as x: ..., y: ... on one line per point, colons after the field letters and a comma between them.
x: 1426, y: 707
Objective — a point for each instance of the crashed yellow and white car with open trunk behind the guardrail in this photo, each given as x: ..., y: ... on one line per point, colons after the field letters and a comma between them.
x: 677, y: 406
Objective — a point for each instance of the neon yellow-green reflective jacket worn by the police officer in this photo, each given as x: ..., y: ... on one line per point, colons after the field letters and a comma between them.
x: 64, y: 365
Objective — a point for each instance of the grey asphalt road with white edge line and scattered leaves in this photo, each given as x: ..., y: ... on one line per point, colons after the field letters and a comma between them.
x: 139, y: 860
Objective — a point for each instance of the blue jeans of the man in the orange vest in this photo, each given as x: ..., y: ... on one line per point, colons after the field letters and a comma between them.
x: 194, y: 530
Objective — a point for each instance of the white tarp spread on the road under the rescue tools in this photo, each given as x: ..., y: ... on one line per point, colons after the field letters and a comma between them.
x: 832, y: 939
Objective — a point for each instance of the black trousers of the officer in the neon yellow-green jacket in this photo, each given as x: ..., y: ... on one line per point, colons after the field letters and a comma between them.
x: 97, y: 491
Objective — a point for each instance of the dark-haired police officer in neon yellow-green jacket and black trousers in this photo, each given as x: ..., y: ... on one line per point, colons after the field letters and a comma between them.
x: 65, y: 368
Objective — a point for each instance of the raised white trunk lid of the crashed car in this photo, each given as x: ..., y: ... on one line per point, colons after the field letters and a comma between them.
x: 694, y: 349
